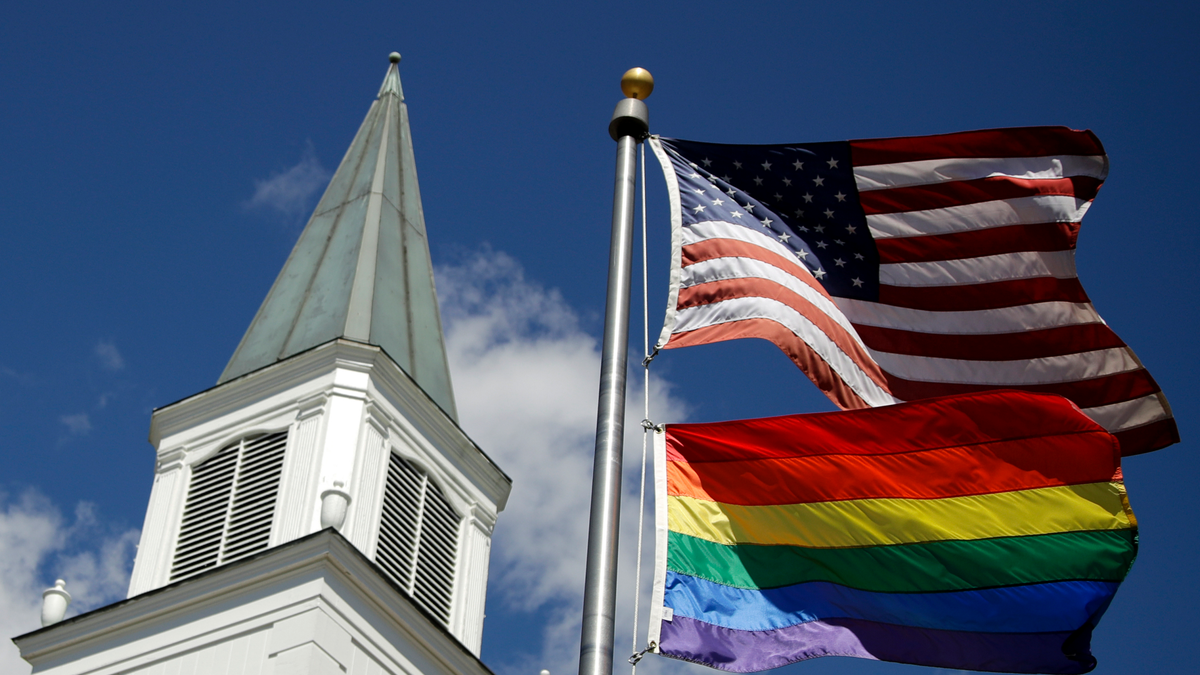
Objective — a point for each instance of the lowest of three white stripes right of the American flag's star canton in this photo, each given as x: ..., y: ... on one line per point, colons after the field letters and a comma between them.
x: 1027, y: 265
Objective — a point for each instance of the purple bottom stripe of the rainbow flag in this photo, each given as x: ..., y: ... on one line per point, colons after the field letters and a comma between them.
x: 748, y: 652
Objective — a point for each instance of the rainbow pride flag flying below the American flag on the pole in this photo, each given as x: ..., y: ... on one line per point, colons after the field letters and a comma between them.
x: 983, y: 533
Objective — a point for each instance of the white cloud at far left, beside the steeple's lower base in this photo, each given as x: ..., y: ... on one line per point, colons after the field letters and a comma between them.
x: 38, y: 546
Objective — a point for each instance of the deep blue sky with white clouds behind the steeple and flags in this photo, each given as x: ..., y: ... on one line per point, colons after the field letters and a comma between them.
x: 158, y: 162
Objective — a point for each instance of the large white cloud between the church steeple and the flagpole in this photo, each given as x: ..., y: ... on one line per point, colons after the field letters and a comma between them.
x: 526, y: 380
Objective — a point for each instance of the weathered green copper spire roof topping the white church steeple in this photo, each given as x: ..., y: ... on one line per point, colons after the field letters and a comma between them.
x: 362, y: 268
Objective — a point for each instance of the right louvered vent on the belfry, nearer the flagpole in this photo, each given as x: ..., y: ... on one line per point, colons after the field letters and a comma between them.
x: 419, y: 537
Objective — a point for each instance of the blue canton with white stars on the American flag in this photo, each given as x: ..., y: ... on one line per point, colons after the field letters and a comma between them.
x: 802, y: 195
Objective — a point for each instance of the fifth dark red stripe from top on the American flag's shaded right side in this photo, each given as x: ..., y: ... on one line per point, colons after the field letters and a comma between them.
x: 997, y: 348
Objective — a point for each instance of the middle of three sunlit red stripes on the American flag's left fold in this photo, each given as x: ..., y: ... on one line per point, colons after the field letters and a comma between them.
x: 751, y: 288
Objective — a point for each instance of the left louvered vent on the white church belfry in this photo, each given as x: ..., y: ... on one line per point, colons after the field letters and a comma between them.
x: 230, y: 505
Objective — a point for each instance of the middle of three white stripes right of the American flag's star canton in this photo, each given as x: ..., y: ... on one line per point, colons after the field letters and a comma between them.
x: 999, y: 213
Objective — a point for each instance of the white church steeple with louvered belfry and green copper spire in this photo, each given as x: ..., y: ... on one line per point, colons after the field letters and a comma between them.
x: 320, y: 510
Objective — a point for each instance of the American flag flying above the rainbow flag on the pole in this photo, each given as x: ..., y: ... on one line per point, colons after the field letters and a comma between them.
x: 907, y: 268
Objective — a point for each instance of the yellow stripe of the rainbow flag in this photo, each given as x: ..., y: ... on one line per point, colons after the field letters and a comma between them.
x: 869, y: 523
